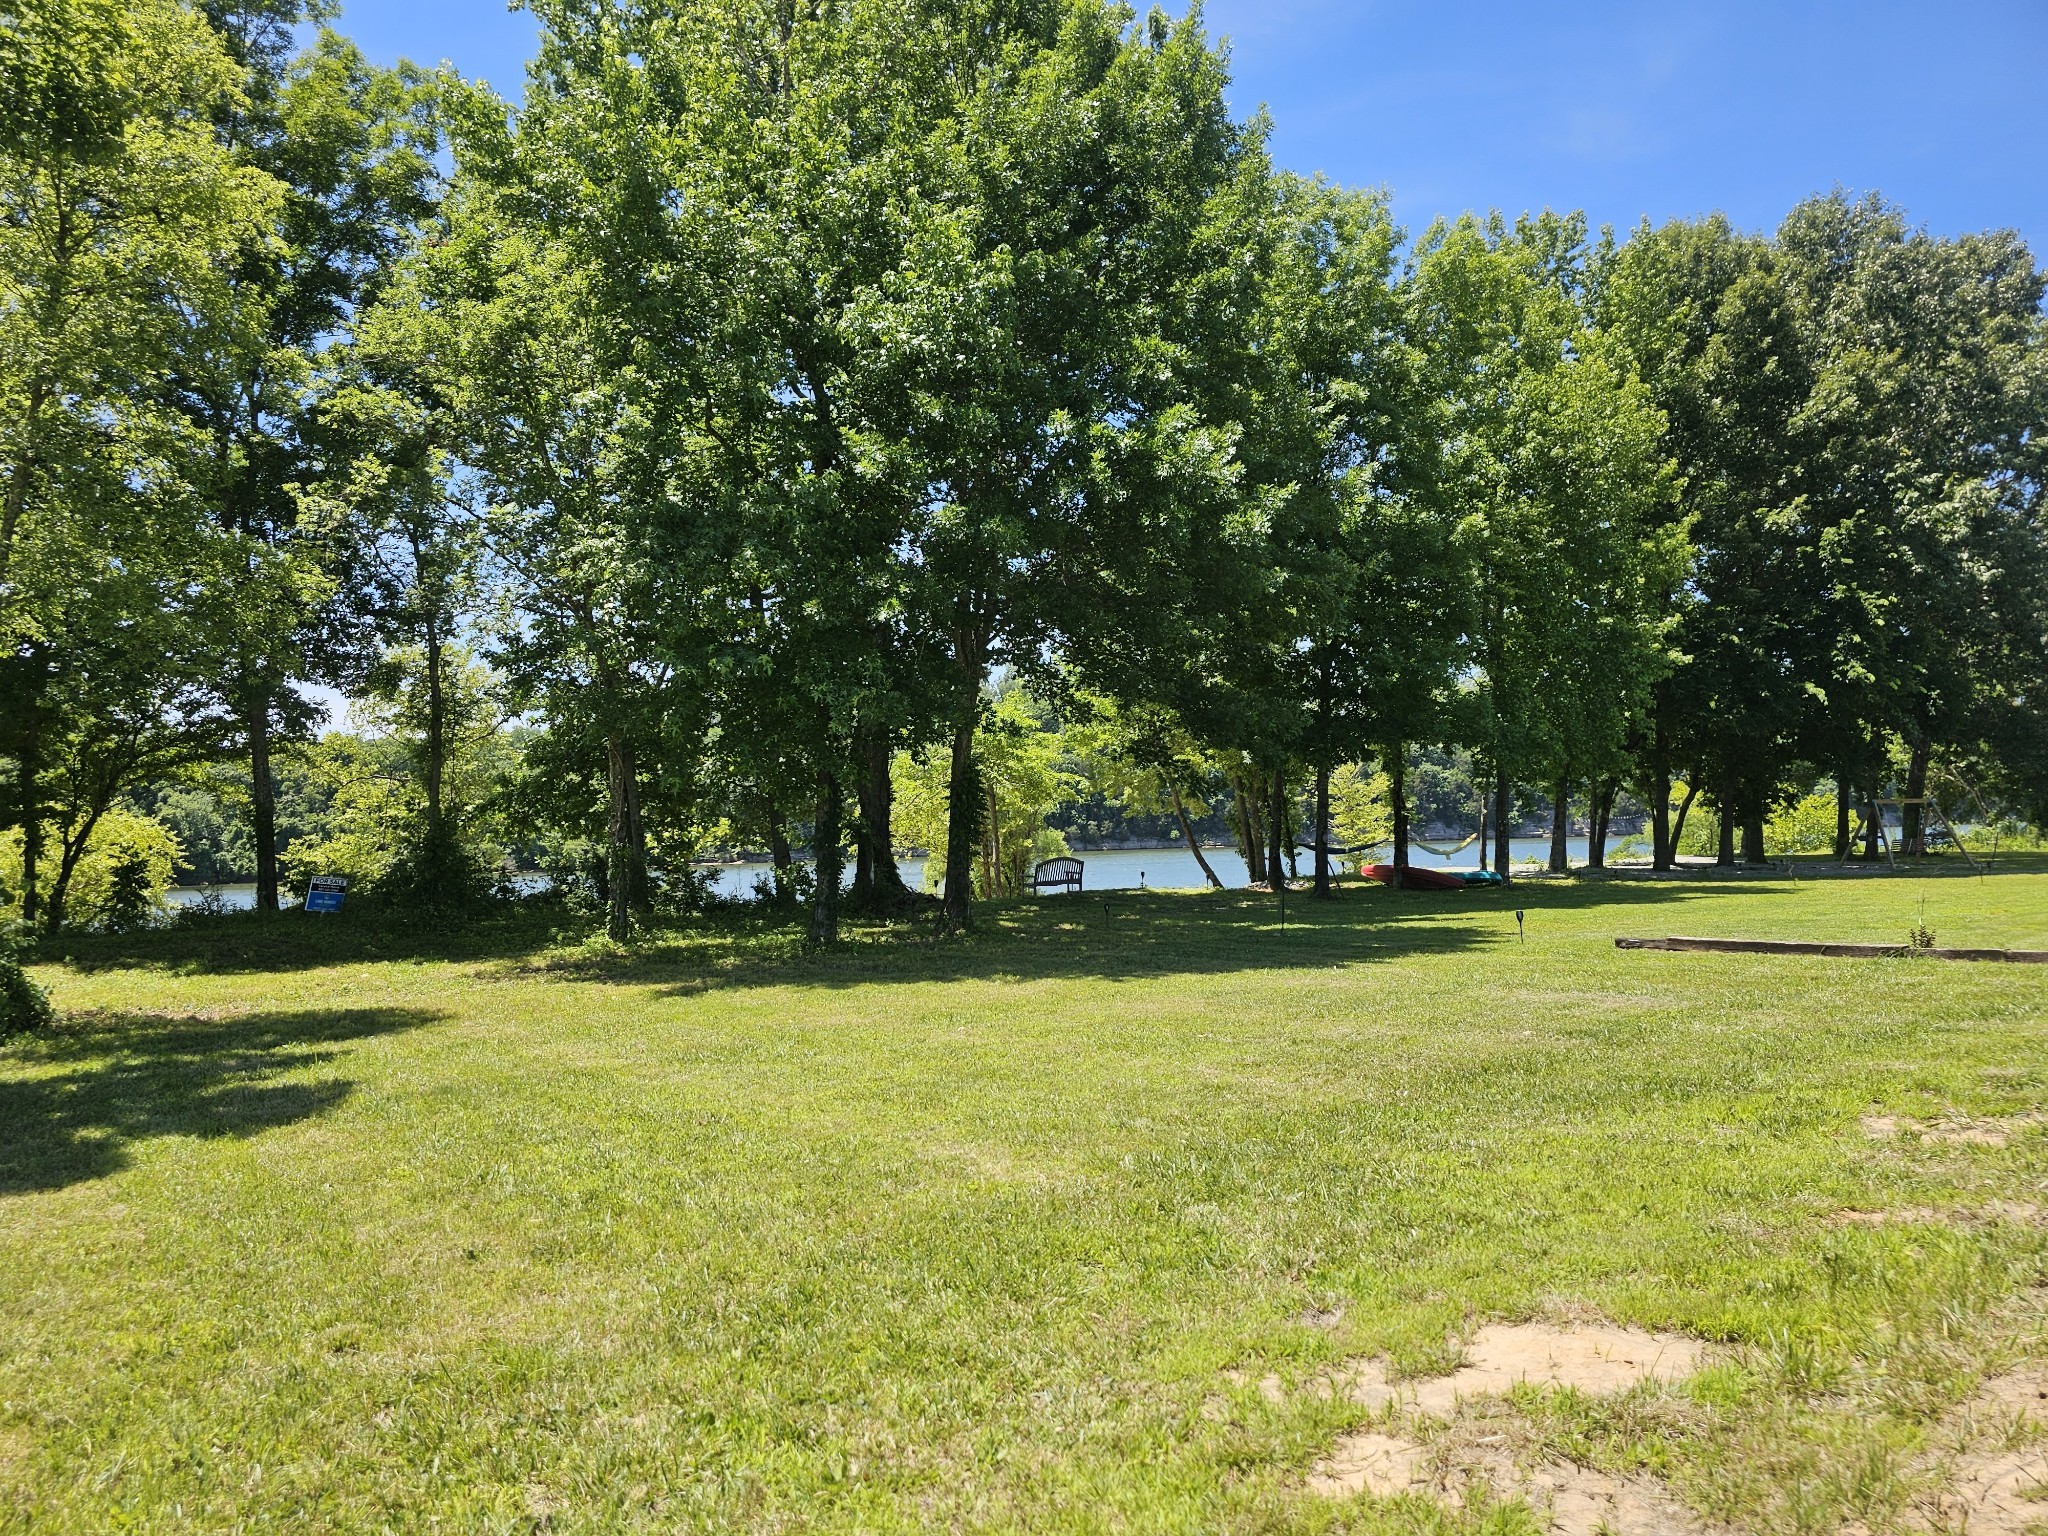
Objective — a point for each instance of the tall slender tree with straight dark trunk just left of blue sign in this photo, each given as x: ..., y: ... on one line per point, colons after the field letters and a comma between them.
x: 353, y: 148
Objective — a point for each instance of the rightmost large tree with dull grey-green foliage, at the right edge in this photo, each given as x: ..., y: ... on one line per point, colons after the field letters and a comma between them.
x: 1914, y: 445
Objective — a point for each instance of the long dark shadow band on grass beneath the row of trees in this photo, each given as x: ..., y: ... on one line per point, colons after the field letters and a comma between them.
x: 1136, y: 933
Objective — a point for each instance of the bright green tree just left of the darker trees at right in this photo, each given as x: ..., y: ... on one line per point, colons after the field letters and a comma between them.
x: 1555, y: 452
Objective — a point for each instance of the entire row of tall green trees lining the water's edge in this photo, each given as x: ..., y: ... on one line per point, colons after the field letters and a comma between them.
x: 726, y: 417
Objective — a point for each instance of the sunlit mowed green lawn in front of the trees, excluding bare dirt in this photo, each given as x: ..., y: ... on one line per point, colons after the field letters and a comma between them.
x: 386, y: 1230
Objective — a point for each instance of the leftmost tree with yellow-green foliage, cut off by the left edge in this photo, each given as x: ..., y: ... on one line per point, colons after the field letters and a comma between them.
x: 120, y: 210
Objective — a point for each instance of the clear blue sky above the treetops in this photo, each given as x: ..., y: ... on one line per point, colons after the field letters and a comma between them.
x: 1619, y: 110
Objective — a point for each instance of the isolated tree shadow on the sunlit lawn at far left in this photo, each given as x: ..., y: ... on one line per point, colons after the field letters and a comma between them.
x: 77, y: 1097
